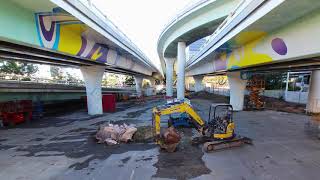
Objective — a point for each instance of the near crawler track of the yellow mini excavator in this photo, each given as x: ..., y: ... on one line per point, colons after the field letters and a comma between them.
x: 226, y: 144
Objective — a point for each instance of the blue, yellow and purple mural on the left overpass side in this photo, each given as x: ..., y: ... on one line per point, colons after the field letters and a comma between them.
x: 58, y: 30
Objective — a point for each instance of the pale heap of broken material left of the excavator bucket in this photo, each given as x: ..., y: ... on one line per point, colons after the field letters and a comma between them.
x: 114, y: 134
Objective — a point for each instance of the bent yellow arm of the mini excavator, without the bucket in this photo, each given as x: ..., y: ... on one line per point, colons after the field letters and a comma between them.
x: 177, y: 108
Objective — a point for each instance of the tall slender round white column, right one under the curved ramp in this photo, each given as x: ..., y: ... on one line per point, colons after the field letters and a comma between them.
x: 180, y: 70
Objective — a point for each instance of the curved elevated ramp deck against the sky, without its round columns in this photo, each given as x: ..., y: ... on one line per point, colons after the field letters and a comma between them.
x: 193, y: 23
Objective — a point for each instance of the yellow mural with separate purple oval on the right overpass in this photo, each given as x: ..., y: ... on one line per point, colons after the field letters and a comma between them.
x: 246, y: 55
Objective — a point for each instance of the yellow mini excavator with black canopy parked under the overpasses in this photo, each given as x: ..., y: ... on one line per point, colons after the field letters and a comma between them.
x: 216, y: 133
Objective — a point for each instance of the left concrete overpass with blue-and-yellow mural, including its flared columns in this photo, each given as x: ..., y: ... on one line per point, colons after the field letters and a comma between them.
x: 71, y: 33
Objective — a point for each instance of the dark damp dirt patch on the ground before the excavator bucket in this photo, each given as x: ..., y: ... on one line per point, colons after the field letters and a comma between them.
x: 185, y: 163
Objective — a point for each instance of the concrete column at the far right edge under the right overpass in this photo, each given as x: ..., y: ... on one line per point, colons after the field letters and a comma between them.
x: 313, y: 105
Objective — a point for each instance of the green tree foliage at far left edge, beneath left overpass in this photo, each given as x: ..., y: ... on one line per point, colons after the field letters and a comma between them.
x: 18, y: 68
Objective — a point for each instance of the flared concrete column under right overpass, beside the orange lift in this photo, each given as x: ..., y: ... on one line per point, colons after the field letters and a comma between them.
x: 237, y: 90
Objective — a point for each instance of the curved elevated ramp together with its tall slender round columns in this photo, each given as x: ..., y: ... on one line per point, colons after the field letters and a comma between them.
x: 193, y: 23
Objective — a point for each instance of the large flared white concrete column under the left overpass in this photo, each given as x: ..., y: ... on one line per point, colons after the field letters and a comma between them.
x: 92, y: 76
